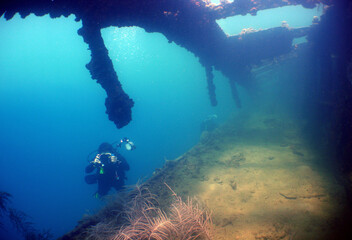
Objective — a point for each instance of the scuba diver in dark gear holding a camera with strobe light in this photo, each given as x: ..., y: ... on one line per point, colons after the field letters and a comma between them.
x: 110, y: 168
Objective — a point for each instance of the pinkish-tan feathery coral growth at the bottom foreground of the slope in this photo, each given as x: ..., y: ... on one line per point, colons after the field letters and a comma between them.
x: 144, y: 220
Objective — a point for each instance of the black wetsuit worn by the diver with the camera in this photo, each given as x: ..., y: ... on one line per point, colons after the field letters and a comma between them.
x: 109, y: 174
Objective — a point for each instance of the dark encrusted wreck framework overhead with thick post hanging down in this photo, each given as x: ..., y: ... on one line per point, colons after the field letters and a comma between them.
x: 189, y: 23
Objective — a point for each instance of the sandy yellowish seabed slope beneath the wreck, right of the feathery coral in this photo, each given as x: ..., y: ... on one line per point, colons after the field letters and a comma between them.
x: 260, y: 180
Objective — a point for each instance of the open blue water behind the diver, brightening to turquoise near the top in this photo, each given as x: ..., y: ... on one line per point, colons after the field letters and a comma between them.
x: 53, y: 113
